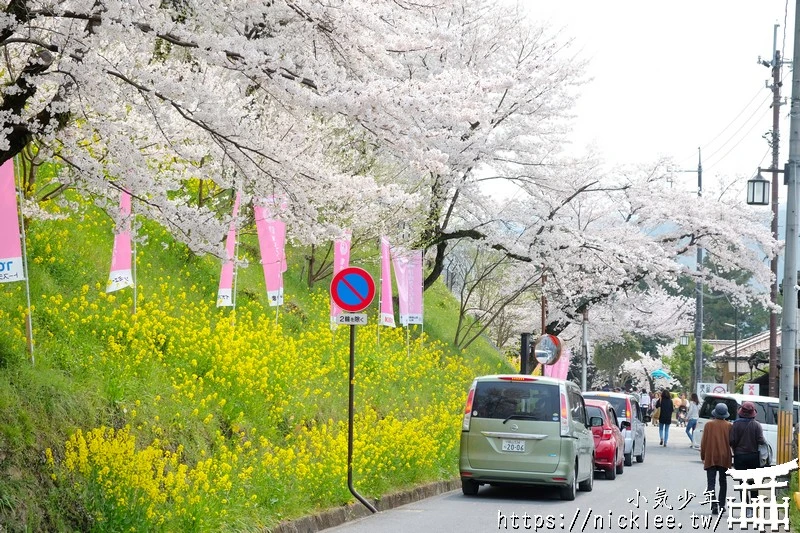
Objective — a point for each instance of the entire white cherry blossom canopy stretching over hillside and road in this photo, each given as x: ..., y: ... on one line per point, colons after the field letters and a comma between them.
x: 398, y: 117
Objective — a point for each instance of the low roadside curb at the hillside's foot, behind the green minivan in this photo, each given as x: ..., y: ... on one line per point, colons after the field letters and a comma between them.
x: 340, y: 515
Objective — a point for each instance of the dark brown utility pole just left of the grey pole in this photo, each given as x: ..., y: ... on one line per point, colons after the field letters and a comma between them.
x: 773, y: 291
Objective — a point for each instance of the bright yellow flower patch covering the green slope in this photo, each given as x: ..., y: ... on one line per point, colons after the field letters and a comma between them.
x: 220, y: 418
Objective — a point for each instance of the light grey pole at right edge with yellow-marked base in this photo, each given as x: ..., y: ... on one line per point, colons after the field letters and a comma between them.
x: 789, y: 314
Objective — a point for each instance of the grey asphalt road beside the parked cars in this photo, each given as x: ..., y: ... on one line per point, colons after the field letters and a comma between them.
x: 671, y: 476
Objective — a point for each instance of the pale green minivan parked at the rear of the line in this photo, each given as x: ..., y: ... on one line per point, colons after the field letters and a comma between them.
x: 526, y: 430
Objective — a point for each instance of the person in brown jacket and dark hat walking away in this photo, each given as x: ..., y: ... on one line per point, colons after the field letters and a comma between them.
x: 715, y: 452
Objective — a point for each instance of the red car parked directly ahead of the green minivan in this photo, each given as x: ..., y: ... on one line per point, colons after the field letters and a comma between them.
x: 608, y: 443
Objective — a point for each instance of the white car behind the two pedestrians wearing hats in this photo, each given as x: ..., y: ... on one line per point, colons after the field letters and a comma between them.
x: 766, y: 414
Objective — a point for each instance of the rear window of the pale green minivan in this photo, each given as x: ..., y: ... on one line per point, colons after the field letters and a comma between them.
x: 539, y: 401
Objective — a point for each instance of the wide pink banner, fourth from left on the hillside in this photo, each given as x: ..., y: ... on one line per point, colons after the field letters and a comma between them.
x: 272, y: 242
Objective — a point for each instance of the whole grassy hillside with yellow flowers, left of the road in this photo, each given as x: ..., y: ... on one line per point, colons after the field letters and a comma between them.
x: 185, y: 417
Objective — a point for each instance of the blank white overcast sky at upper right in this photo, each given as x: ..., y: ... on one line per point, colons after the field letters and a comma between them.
x: 671, y: 76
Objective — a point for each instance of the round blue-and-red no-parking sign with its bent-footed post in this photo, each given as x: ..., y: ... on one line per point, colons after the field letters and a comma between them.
x: 352, y: 289
